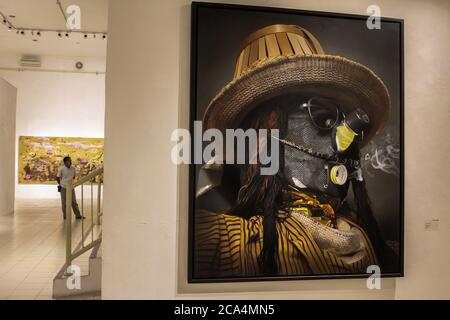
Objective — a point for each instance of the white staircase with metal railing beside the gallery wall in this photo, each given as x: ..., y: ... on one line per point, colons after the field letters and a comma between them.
x: 80, y: 277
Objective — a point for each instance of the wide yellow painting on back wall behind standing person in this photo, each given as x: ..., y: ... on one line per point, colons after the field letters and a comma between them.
x: 40, y: 157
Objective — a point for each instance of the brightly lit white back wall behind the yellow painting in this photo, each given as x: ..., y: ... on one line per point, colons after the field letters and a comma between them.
x: 56, y: 104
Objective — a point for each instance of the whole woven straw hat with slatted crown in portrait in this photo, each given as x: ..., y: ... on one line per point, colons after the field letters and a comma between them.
x: 282, y: 59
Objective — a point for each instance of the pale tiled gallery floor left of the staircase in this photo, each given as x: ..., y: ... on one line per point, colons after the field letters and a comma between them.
x: 32, y: 250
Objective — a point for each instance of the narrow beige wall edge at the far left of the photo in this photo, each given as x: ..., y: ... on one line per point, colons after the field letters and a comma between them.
x: 7, y: 145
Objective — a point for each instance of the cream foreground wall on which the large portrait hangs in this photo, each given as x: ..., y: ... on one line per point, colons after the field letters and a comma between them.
x: 145, y: 222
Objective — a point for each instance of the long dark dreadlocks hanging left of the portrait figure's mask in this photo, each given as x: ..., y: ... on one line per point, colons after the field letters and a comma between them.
x: 263, y: 192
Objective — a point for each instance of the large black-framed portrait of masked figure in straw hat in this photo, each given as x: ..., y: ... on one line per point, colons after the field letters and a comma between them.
x: 297, y: 121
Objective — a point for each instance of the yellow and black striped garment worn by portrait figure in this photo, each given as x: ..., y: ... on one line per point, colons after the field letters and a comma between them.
x: 229, y: 246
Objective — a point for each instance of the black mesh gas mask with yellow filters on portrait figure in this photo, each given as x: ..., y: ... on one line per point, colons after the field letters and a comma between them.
x: 313, y: 138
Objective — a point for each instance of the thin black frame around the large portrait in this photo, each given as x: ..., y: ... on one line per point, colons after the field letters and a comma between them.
x: 195, y: 7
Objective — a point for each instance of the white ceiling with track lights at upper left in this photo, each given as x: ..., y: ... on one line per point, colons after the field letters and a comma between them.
x: 45, y: 14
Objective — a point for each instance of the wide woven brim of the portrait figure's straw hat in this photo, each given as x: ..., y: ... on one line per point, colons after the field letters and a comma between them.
x: 351, y: 84
